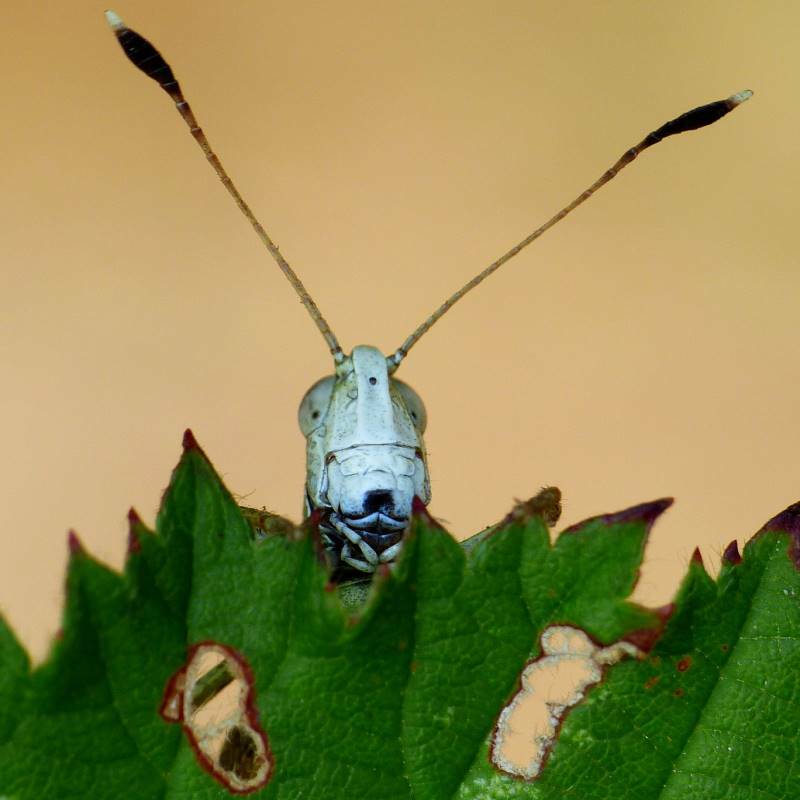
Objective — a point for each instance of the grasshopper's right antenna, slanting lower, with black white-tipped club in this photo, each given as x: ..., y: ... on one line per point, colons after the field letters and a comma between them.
x: 696, y: 118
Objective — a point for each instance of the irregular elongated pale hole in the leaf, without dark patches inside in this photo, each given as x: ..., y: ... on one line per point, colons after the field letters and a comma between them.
x: 550, y: 686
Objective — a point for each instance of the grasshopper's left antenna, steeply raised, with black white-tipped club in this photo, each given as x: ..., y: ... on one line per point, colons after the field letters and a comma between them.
x: 152, y: 63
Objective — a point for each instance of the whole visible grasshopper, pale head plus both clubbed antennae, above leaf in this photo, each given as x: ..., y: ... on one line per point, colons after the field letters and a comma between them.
x: 365, y: 454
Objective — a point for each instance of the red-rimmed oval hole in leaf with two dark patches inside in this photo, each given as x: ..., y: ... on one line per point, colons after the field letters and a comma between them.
x: 212, y: 697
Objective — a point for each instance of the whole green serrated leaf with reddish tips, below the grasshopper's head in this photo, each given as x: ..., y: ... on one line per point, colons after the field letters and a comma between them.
x: 399, y: 699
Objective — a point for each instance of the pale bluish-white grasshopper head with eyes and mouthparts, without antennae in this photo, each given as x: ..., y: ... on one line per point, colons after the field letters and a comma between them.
x: 365, y: 458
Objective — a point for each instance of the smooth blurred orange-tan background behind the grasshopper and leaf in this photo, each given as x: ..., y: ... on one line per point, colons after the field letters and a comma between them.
x: 646, y: 347
